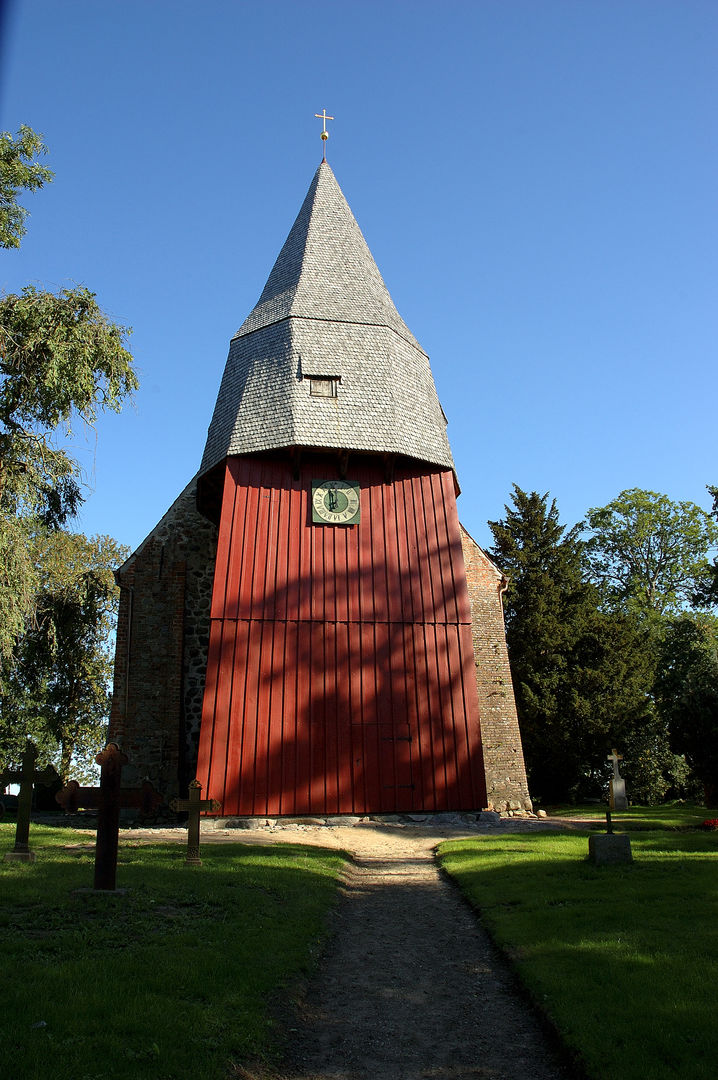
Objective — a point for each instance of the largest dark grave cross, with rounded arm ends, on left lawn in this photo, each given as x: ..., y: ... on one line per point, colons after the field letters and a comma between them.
x: 109, y: 800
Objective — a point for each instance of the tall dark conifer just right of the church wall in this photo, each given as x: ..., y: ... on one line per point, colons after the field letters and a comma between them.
x: 580, y: 674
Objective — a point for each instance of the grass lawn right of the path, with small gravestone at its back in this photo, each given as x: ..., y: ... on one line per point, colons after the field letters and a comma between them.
x: 624, y: 960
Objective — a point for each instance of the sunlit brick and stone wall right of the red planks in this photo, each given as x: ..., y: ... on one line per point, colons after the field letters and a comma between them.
x: 504, y: 759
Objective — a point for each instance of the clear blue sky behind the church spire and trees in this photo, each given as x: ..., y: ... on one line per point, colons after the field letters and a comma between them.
x: 536, y: 179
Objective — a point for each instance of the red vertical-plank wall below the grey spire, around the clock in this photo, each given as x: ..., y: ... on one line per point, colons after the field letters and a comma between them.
x: 341, y: 676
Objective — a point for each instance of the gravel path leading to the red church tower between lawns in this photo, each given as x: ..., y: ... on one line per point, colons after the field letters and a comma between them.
x: 410, y: 987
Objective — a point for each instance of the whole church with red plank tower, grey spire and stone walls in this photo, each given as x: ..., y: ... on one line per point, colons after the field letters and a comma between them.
x: 351, y: 666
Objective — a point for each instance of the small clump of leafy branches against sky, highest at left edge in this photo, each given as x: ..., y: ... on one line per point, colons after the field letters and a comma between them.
x: 19, y: 172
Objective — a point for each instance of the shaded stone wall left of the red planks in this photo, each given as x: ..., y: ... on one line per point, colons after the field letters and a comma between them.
x: 161, y: 656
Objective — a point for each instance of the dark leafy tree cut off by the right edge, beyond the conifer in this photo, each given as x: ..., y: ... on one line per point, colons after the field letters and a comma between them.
x: 687, y: 696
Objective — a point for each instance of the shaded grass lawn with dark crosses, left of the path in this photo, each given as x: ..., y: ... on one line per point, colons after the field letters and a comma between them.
x: 173, y: 981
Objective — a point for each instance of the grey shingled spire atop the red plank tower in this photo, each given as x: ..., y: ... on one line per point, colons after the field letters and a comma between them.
x: 327, y: 315
